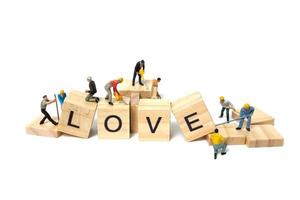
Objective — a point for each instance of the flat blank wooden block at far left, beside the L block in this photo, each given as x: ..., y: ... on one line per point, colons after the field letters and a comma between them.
x: 47, y: 129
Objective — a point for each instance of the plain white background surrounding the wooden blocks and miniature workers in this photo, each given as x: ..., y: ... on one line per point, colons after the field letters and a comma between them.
x: 247, y: 51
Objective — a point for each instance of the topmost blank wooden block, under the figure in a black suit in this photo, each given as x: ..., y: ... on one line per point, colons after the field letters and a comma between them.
x: 126, y: 88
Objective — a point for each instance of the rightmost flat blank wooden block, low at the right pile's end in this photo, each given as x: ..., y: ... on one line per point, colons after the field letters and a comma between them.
x: 275, y: 139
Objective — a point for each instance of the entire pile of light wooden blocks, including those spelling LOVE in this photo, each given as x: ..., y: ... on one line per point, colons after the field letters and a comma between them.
x: 151, y: 119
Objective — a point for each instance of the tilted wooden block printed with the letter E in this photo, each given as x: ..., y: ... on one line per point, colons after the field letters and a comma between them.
x: 193, y: 117
